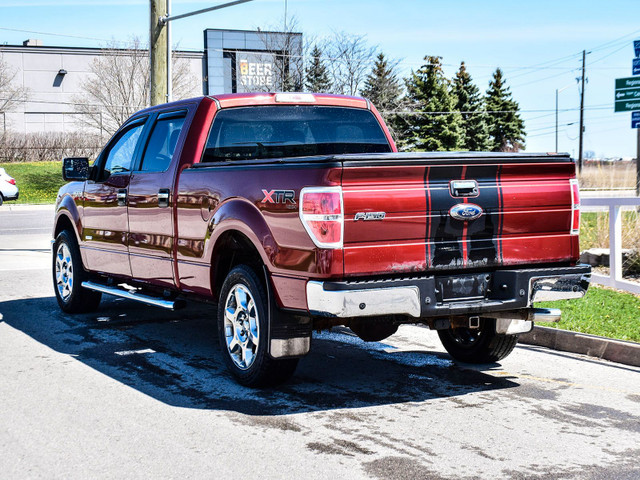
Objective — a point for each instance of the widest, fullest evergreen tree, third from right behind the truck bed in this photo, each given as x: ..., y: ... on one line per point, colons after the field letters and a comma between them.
x: 429, y: 91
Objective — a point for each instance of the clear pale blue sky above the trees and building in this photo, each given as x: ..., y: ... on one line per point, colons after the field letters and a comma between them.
x: 537, y: 44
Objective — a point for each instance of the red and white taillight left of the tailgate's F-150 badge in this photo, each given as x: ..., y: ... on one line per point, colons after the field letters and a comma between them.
x: 321, y: 213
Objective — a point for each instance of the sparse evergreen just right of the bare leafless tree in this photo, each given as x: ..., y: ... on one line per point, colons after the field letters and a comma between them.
x: 383, y: 88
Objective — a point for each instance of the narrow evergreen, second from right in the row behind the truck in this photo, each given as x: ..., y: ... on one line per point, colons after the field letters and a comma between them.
x: 474, y: 117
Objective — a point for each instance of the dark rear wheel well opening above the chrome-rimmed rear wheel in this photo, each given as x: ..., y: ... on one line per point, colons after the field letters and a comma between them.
x: 233, y: 248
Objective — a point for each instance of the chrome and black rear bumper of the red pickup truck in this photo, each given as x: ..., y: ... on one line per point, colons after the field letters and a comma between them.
x: 421, y: 297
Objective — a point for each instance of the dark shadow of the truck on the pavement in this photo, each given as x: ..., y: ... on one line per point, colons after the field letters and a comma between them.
x: 174, y: 357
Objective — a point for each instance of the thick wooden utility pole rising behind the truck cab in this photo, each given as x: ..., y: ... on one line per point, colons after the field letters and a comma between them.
x: 158, y: 52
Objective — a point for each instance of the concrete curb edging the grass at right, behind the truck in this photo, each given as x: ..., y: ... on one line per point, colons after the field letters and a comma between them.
x: 619, y: 351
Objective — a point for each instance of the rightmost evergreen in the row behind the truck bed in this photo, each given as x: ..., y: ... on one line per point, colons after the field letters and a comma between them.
x: 506, y: 127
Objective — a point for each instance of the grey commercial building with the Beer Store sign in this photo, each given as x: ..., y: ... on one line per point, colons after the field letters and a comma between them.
x: 53, y: 76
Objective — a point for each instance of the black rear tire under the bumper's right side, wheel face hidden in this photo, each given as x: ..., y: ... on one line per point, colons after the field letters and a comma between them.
x: 478, y: 345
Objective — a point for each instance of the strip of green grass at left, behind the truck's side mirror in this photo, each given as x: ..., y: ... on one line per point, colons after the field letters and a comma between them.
x: 38, y: 181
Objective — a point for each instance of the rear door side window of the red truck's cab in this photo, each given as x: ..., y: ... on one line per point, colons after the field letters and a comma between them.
x: 163, y: 141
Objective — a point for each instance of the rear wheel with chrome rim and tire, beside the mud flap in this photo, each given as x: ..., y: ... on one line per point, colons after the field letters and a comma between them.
x: 243, y: 331
